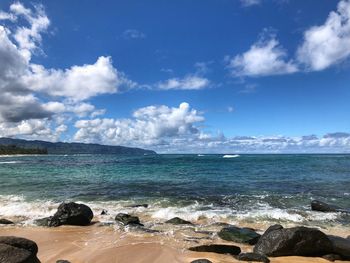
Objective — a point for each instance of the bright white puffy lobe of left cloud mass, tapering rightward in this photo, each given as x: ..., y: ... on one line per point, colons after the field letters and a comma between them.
x: 78, y: 82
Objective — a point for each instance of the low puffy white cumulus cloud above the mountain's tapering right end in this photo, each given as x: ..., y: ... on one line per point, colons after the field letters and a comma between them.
x: 150, y: 125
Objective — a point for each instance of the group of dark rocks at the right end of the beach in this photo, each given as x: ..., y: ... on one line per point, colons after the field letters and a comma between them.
x: 278, y: 241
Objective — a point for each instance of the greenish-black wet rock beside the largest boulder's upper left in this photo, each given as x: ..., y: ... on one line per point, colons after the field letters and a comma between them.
x: 239, y: 235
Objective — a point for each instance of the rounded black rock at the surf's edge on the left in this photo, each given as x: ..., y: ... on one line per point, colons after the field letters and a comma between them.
x: 72, y: 214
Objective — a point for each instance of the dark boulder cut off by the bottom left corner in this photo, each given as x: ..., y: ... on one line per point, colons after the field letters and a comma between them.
x: 18, y: 250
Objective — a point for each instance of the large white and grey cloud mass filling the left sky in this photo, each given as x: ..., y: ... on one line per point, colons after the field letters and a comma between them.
x: 23, y: 84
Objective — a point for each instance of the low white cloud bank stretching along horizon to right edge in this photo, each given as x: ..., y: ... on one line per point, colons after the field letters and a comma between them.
x: 180, y: 129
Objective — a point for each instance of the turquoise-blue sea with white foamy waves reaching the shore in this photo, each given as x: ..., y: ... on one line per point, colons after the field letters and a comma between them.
x: 249, y: 187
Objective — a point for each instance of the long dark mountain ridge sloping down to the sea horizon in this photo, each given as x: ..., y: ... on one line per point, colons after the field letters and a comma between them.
x: 73, y: 148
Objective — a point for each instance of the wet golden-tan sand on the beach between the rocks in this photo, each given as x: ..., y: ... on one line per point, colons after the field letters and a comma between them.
x: 107, y: 245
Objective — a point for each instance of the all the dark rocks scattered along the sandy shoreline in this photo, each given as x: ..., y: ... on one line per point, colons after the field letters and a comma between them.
x: 275, y: 242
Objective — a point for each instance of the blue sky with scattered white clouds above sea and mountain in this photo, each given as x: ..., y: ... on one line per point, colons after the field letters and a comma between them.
x: 201, y: 76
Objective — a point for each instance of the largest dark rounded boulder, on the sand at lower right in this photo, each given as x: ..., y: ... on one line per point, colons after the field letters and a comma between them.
x: 296, y: 241
